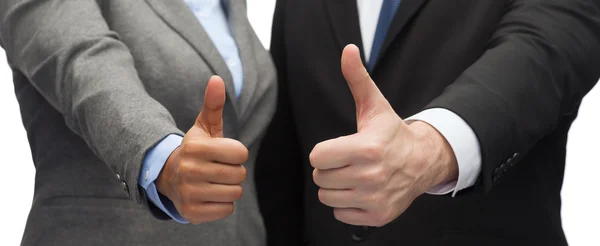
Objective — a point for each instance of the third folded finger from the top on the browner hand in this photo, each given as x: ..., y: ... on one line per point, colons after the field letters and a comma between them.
x: 215, y: 193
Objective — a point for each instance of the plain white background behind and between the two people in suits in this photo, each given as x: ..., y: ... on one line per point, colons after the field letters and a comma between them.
x: 581, y: 206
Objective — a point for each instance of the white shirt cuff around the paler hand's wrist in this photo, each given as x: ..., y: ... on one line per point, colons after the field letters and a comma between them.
x: 464, y: 143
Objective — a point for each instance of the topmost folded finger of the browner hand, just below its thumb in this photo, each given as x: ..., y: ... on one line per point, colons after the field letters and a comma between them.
x: 222, y: 150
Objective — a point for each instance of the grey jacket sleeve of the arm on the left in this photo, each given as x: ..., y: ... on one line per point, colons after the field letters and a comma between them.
x: 68, y: 53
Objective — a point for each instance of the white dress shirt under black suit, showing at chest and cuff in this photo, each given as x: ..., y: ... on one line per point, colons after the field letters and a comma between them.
x: 457, y: 132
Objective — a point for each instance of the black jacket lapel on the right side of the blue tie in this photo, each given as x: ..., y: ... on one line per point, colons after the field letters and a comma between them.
x: 406, y: 11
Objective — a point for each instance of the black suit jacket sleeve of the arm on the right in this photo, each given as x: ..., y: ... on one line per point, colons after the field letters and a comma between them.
x: 542, y: 59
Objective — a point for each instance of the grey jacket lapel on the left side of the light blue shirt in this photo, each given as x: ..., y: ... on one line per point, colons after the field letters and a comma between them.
x: 178, y: 15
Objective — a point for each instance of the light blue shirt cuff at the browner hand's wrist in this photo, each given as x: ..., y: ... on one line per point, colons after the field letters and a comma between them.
x: 153, y: 163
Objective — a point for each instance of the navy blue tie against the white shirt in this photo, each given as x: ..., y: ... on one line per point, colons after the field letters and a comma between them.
x: 388, y: 10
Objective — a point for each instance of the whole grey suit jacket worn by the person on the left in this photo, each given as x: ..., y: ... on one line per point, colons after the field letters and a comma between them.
x: 101, y: 82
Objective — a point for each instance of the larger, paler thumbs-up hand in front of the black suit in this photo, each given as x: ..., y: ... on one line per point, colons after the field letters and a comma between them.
x: 371, y: 177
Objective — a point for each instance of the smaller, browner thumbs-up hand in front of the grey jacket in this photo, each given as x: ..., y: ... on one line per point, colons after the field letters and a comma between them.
x: 202, y: 177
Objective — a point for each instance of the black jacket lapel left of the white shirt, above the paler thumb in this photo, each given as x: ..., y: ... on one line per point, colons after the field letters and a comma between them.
x: 345, y: 23
